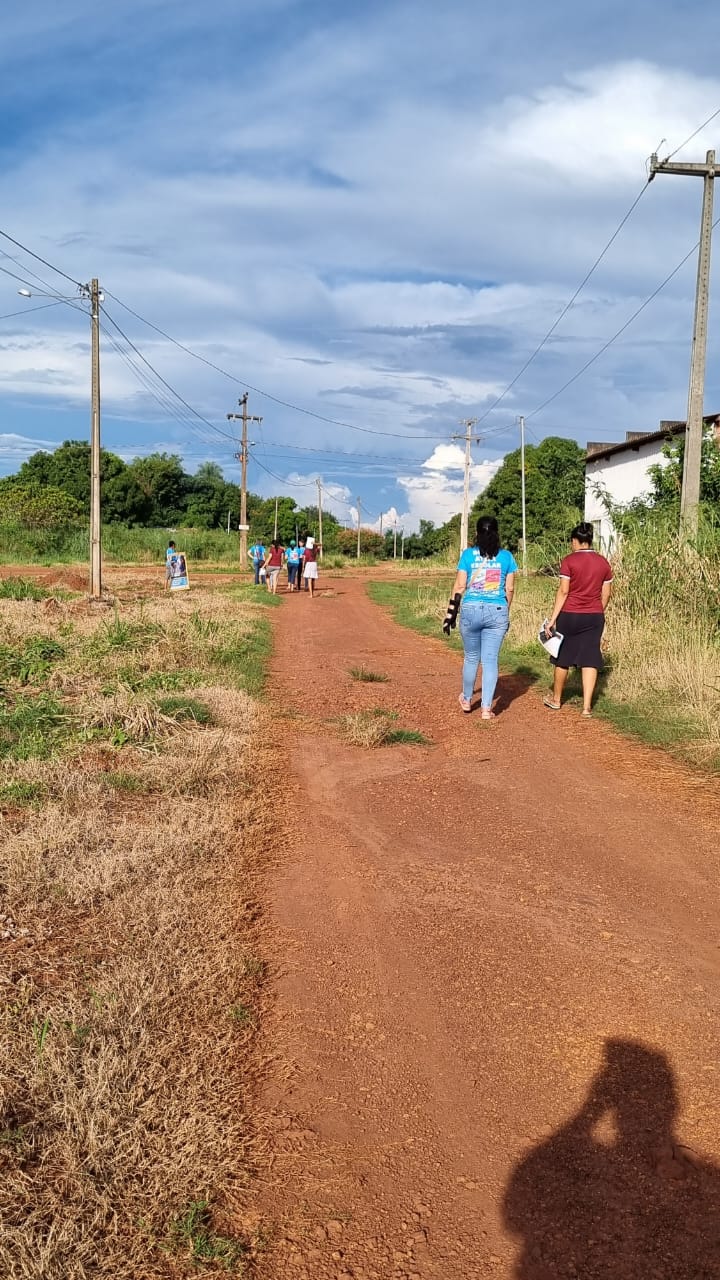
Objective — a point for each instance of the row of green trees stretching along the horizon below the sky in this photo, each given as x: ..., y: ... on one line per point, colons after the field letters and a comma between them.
x: 156, y: 492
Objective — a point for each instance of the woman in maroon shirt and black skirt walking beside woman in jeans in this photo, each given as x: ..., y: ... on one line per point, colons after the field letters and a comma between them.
x: 586, y: 583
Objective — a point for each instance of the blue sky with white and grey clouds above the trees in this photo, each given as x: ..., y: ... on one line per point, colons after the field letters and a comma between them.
x: 372, y: 212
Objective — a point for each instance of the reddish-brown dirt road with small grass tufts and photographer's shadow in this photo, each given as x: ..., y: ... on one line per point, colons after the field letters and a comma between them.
x: 495, y: 1034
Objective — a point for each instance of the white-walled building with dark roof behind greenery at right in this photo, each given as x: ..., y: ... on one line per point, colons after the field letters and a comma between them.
x: 621, y: 473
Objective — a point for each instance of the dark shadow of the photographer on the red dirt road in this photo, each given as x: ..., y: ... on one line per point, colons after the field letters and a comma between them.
x: 613, y: 1196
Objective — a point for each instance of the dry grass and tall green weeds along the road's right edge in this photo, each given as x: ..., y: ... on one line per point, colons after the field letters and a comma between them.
x: 663, y: 638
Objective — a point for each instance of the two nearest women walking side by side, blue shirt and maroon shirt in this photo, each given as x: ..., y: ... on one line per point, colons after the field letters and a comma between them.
x: 482, y: 598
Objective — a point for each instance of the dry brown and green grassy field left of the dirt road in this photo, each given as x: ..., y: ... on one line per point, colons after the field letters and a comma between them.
x: 134, y: 830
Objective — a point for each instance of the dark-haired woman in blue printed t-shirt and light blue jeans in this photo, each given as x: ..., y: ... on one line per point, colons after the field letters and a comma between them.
x: 484, y: 595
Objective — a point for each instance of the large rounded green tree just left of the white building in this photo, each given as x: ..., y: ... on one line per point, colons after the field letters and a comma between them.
x: 555, y: 481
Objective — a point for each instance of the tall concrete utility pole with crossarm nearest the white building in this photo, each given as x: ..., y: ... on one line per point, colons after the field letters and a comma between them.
x: 690, y: 499
